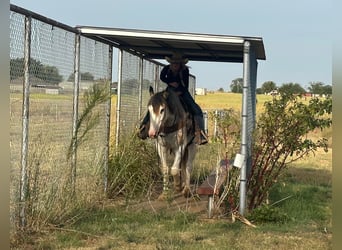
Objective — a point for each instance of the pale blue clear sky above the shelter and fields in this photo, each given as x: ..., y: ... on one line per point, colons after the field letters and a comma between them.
x: 297, y: 35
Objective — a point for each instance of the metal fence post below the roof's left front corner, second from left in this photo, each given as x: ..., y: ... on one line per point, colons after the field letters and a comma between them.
x: 75, y: 111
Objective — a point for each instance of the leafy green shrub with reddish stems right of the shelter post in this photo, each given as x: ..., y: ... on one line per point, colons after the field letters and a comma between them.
x: 281, y: 137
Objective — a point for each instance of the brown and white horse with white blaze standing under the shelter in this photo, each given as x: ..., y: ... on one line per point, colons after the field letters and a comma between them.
x: 173, y: 129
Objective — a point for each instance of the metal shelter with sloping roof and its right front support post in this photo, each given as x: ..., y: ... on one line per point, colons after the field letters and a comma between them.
x: 149, y: 44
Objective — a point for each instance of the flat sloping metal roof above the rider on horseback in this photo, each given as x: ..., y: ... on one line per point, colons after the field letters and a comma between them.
x: 158, y: 44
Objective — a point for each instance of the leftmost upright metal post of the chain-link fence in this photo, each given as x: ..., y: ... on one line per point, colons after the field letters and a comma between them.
x: 25, y: 123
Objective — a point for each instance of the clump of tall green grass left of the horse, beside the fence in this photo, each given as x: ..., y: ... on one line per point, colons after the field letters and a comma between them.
x: 133, y: 169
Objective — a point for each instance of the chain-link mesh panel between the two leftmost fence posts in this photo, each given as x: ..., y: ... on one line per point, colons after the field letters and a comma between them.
x: 52, y: 61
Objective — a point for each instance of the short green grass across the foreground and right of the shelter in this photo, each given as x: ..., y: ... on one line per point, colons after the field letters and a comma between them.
x: 114, y: 226
